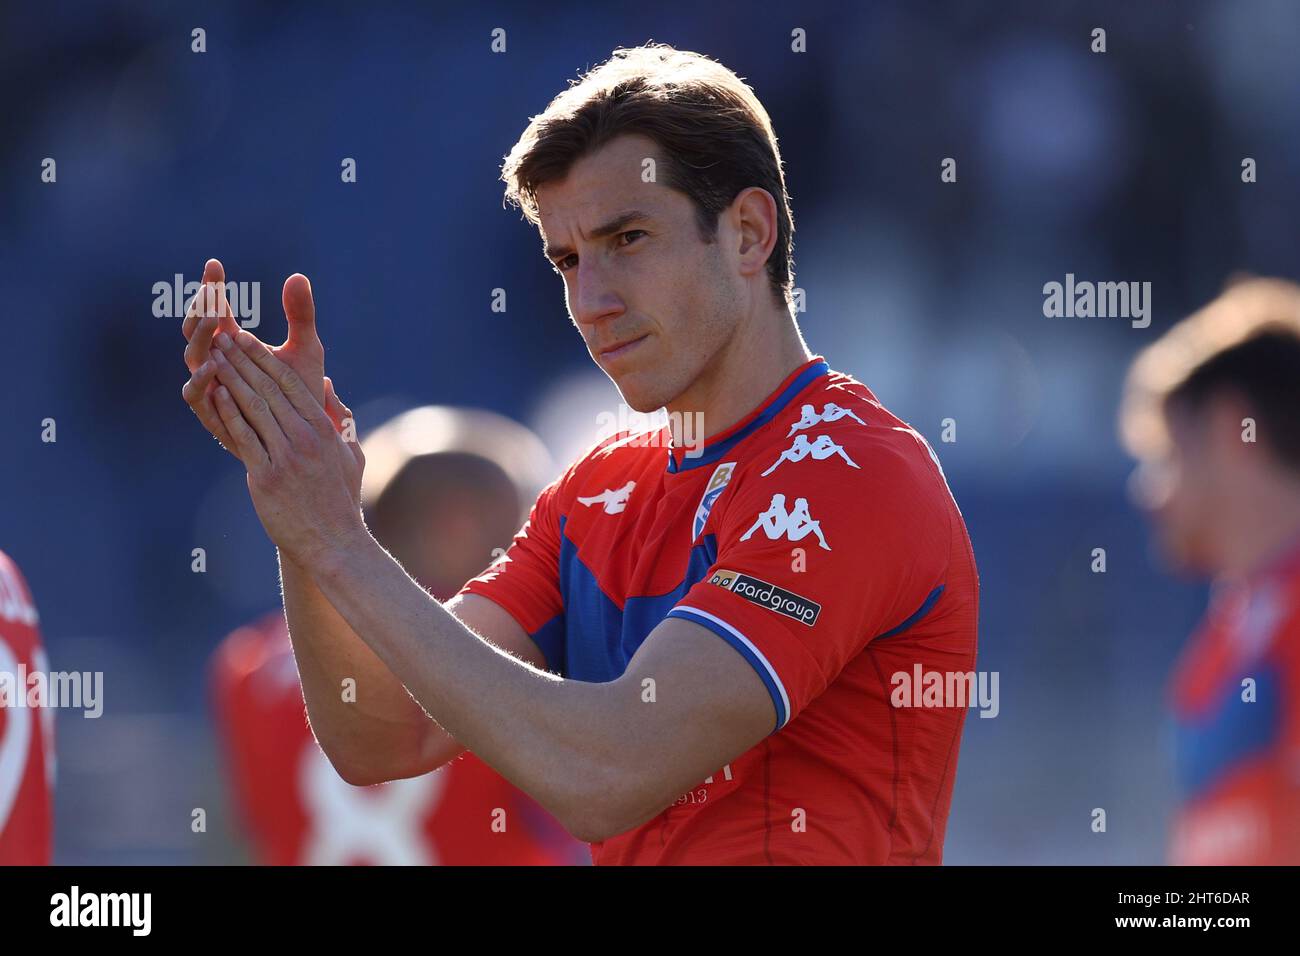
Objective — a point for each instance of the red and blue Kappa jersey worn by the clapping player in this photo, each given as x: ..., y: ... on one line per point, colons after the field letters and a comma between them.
x: 817, y: 538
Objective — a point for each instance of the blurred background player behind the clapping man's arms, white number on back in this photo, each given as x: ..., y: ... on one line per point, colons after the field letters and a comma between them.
x: 445, y: 490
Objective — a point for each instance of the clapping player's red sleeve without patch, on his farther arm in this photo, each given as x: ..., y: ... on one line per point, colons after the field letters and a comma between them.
x: 526, y: 581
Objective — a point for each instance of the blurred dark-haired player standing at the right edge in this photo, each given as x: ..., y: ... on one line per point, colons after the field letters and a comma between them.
x: 1212, y: 410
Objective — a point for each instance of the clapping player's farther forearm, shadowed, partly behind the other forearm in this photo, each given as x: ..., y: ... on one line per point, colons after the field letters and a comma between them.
x: 376, y: 733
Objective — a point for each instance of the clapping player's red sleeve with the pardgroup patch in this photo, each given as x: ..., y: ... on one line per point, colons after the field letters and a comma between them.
x: 820, y: 557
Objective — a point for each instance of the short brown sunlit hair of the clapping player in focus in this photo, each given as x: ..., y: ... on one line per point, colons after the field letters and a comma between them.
x: 716, y: 136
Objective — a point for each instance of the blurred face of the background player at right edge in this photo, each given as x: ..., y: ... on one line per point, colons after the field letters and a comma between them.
x: 1184, y: 491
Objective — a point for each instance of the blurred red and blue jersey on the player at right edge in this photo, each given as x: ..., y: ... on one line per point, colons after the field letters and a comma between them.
x: 1236, y: 699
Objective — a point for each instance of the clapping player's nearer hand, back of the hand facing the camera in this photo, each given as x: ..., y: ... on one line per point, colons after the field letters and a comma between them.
x: 304, y: 477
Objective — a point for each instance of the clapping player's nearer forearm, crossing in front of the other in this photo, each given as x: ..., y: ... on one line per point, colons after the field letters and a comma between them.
x: 558, y: 741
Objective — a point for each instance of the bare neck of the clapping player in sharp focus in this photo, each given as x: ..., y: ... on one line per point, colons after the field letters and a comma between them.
x: 746, y: 371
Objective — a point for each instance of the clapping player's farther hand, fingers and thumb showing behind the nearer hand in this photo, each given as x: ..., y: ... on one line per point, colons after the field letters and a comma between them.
x: 210, y: 313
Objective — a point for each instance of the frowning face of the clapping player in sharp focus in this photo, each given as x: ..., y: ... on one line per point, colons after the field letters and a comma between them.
x: 653, y: 301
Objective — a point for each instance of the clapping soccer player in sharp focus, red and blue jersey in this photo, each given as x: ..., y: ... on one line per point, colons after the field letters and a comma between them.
x: 688, y: 652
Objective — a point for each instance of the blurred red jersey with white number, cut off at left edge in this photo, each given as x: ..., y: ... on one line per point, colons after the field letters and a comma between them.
x: 27, y: 733
